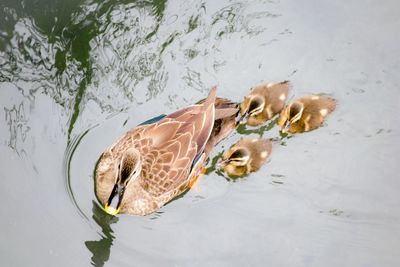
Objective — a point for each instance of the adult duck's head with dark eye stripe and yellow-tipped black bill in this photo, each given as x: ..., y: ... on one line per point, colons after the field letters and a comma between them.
x: 128, y: 170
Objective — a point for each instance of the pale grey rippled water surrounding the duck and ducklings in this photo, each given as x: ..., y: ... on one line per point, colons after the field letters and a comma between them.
x: 75, y: 75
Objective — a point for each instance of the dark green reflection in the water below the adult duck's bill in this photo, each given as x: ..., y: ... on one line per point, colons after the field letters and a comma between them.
x: 101, y: 248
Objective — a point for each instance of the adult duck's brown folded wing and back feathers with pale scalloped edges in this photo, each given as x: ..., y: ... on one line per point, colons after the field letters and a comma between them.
x: 170, y: 147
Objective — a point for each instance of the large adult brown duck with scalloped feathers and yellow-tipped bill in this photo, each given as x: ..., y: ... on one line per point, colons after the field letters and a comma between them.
x: 160, y: 159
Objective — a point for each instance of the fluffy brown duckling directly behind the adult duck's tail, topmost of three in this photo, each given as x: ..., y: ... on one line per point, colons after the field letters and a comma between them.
x: 263, y: 102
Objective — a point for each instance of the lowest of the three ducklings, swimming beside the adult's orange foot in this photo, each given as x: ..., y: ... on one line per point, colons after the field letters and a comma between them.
x: 246, y: 156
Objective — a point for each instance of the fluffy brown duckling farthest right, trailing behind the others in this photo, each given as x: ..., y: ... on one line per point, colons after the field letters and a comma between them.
x: 306, y: 113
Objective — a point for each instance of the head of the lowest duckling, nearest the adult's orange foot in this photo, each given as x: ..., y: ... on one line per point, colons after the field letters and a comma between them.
x: 235, y: 161
